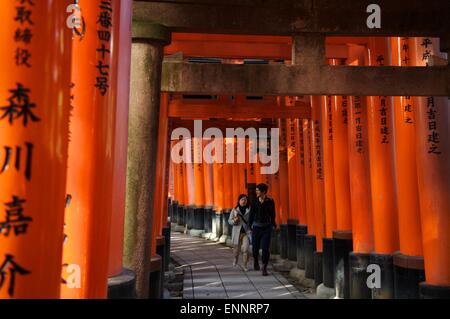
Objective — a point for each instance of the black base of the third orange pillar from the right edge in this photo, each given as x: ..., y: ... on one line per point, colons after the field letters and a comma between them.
x: 386, y: 263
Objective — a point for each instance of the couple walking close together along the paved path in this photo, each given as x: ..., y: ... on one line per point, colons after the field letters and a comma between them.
x: 253, y: 223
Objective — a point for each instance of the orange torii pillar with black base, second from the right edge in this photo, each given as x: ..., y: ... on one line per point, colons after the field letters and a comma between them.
x: 408, y: 262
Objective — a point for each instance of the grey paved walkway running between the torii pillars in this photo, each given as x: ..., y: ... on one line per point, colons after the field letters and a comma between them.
x: 209, y: 273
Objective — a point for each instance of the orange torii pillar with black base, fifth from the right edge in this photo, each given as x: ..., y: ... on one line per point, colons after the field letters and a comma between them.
x: 342, y: 234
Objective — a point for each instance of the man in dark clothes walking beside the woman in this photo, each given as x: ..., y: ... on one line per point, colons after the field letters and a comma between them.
x: 262, y: 222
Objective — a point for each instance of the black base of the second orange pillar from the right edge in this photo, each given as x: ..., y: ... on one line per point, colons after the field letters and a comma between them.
x: 408, y: 274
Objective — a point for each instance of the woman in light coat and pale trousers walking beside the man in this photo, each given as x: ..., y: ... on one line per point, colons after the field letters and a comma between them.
x: 240, y: 233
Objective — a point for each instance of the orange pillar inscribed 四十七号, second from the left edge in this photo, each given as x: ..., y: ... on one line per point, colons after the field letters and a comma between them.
x: 90, y: 171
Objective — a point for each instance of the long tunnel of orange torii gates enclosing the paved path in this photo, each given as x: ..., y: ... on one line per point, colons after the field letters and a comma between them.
x: 88, y: 191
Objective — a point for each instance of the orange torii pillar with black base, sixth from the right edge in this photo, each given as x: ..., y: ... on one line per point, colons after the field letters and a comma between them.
x: 328, y: 103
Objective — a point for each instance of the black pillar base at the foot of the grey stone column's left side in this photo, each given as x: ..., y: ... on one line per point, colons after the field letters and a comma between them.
x: 122, y: 286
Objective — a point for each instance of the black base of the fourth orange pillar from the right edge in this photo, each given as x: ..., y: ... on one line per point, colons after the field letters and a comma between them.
x: 358, y: 276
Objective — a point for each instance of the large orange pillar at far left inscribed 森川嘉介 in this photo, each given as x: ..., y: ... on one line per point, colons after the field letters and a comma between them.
x: 34, y: 118
